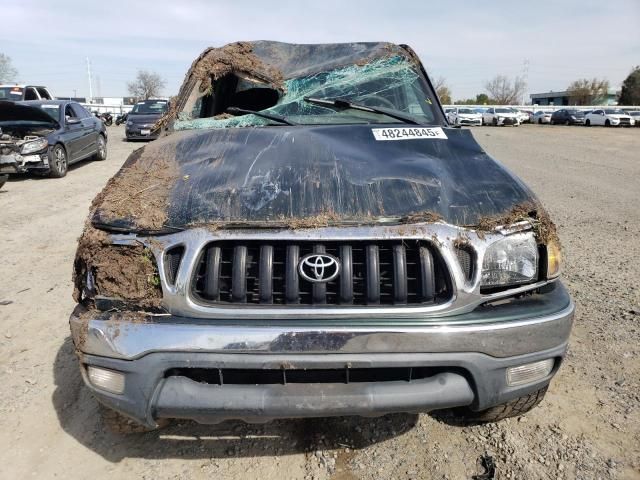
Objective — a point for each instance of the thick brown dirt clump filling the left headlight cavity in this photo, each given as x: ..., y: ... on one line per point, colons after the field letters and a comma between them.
x: 128, y: 272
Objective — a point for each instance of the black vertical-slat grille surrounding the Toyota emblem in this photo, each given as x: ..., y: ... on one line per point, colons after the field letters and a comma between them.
x: 381, y: 272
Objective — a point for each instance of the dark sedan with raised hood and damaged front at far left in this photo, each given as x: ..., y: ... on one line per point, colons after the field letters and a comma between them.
x: 47, y: 136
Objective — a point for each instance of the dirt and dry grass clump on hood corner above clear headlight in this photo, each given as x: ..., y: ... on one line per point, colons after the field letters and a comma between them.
x: 543, y: 227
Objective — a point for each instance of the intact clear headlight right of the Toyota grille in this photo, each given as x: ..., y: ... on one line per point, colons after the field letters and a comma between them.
x: 510, y: 261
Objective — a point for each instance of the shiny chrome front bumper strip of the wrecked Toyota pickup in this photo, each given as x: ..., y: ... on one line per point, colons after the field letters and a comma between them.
x: 527, y: 325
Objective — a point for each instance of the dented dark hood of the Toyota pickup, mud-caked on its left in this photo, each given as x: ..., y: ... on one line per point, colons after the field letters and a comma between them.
x: 275, y: 175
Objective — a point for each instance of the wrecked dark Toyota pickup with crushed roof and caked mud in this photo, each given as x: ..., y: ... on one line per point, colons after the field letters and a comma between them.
x: 310, y: 238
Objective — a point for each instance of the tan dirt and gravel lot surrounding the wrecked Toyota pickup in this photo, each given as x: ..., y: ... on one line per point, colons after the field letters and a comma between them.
x: 588, y: 426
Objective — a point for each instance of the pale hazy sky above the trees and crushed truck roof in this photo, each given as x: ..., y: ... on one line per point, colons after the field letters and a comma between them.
x: 466, y: 42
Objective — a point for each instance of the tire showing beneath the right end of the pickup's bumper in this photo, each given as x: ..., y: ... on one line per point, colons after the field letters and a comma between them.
x: 514, y: 408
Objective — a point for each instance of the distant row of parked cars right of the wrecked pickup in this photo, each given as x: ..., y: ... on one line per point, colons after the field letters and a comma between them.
x: 502, y: 116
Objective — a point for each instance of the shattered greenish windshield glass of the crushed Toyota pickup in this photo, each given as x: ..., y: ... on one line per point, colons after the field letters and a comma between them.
x: 391, y: 83
